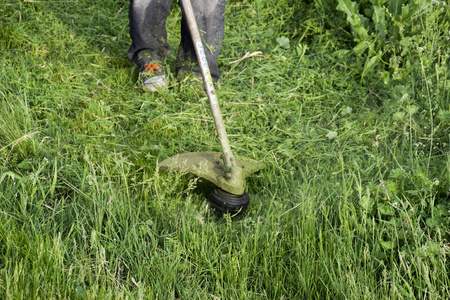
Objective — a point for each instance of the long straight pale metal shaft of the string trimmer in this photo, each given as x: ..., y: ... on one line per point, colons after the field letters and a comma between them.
x: 209, y: 86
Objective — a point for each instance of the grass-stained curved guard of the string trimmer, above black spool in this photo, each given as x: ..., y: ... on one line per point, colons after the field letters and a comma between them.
x: 210, y: 166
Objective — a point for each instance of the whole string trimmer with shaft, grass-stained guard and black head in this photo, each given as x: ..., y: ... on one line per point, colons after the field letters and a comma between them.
x: 222, y: 169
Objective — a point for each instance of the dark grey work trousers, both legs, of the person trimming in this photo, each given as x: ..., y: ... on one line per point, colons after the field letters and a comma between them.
x: 149, y: 36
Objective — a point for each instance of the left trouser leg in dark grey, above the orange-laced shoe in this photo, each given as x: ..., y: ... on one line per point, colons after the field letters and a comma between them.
x: 148, y: 31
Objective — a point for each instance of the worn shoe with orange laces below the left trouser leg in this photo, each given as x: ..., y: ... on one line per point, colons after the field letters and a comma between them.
x: 152, y: 78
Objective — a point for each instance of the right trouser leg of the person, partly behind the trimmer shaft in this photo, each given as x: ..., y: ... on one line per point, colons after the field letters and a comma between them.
x: 211, y: 22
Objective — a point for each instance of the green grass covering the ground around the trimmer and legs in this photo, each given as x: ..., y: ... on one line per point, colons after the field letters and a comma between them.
x: 353, y: 202
